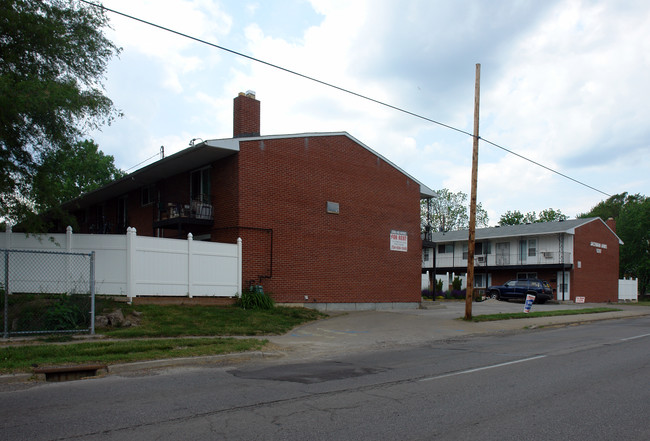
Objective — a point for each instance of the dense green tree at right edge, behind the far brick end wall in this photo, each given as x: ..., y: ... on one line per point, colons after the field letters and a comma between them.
x: 632, y: 216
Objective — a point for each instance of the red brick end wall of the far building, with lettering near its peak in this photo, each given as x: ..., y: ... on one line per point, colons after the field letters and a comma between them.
x: 596, y: 277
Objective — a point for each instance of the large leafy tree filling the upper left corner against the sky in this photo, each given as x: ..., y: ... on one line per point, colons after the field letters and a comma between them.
x: 53, y: 56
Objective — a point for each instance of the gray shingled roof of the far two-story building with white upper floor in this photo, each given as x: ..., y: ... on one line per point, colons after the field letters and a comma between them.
x: 535, y: 229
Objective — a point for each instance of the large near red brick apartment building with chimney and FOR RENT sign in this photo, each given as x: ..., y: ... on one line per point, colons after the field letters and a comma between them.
x: 323, y: 218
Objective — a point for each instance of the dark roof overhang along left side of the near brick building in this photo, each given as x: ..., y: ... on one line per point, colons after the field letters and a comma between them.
x: 188, y: 159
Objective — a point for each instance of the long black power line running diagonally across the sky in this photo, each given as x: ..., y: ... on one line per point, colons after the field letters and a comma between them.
x: 342, y: 89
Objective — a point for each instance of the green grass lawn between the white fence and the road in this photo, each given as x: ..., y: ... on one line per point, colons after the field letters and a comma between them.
x: 168, y: 331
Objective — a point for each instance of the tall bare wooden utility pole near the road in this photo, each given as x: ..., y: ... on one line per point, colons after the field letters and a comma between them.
x: 472, y: 203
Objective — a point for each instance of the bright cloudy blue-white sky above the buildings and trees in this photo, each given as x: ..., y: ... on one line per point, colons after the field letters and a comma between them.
x: 563, y: 83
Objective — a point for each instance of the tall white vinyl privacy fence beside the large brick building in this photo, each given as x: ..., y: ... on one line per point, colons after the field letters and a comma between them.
x: 133, y: 265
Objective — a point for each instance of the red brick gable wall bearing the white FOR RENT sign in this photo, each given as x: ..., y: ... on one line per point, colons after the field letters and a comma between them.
x: 285, y: 184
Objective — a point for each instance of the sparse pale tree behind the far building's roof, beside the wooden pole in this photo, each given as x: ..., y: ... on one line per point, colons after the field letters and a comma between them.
x: 448, y: 211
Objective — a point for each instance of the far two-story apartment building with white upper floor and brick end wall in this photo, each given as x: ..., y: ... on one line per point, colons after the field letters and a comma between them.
x: 579, y: 257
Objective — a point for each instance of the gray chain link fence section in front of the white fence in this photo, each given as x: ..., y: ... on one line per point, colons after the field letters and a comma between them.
x: 47, y: 292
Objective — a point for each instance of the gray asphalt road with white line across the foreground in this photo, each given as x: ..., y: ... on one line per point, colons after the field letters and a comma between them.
x: 582, y: 382
